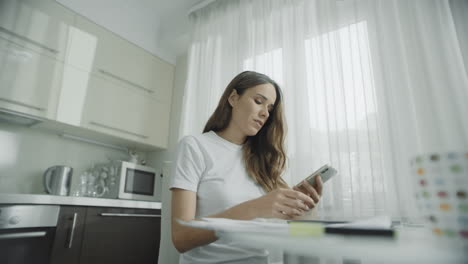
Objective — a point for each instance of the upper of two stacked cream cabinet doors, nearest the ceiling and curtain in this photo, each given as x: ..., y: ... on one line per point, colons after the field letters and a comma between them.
x: 119, y: 61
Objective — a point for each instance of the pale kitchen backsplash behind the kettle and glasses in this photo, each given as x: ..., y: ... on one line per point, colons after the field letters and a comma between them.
x: 25, y: 153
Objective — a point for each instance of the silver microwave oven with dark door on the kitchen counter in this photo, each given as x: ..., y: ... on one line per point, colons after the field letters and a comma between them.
x: 131, y: 181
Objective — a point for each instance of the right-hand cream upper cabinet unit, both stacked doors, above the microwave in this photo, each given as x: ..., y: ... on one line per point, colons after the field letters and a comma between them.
x: 128, y: 90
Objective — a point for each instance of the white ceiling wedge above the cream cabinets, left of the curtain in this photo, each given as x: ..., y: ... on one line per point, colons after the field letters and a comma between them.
x: 159, y: 26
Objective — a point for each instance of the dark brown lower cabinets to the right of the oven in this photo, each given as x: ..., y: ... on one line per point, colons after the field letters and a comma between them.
x: 115, y: 236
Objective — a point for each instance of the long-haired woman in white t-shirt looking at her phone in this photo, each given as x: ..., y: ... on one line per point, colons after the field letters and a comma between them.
x: 233, y: 170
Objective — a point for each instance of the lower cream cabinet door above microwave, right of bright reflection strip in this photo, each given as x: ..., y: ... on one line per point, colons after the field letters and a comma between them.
x: 122, y: 112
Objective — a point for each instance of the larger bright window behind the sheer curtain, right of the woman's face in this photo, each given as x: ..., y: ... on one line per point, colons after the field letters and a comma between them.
x: 343, y: 116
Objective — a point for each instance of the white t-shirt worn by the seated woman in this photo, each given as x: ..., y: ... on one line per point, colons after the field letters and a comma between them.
x: 213, y: 168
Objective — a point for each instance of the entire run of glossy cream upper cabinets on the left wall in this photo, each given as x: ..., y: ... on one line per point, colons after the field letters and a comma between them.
x: 81, y: 78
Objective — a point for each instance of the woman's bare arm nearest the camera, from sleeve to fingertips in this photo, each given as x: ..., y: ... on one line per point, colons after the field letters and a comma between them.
x: 280, y: 203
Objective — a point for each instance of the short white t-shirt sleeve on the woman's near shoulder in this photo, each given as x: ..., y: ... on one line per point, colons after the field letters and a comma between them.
x: 189, y: 165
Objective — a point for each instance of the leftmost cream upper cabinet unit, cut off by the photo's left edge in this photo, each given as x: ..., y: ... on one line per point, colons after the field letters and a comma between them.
x: 33, y: 41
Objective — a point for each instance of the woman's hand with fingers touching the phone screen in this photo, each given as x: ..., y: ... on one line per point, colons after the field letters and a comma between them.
x: 281, y: 203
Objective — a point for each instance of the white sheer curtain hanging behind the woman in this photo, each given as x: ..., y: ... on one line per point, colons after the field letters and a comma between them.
x: 367, y: 84
